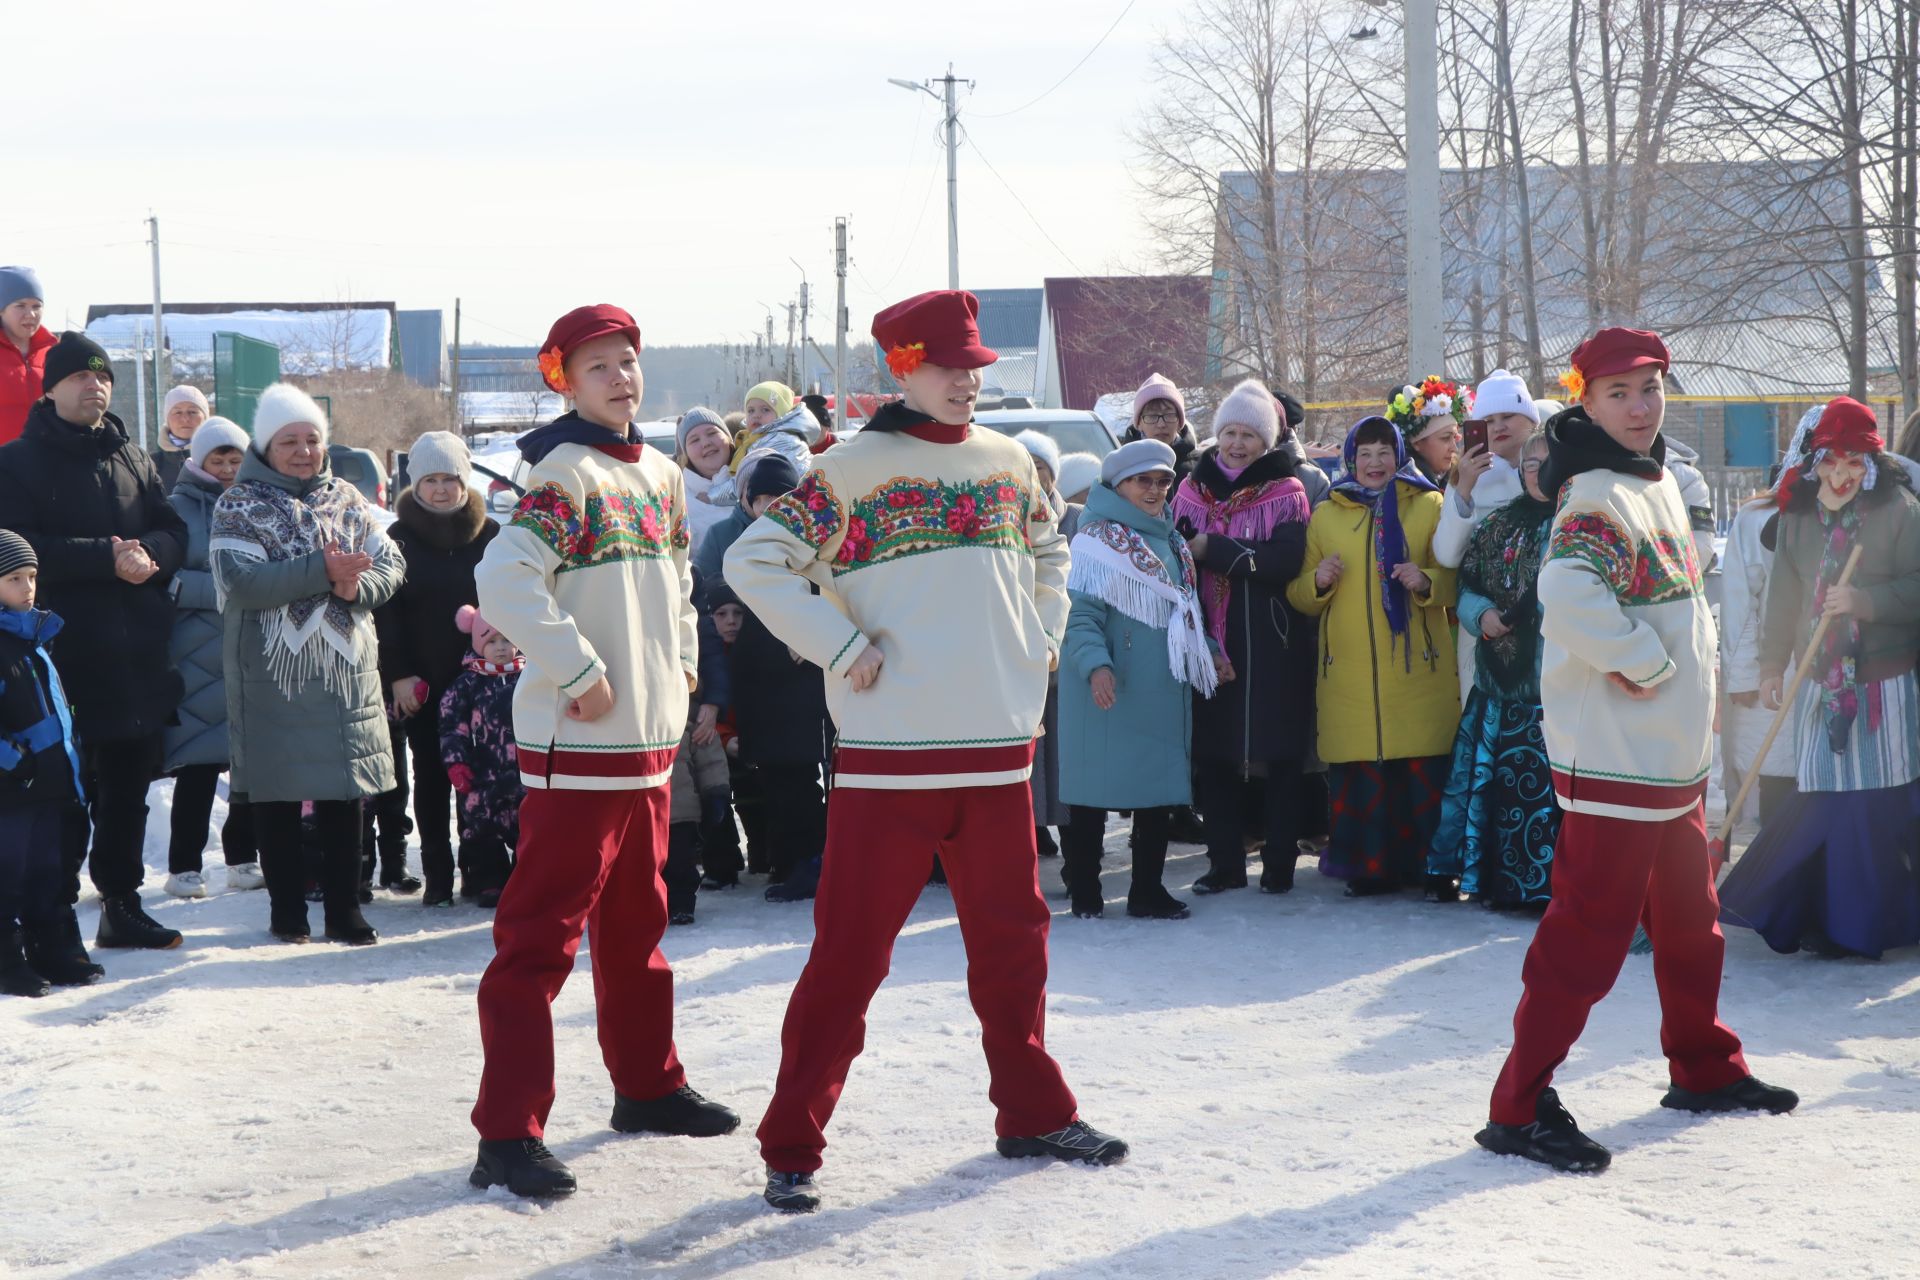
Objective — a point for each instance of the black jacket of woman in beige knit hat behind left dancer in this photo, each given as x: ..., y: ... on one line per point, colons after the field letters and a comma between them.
x: 418, y: 634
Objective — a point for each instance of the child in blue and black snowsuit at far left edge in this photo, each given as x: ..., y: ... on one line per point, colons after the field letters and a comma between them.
x: 39, y: 790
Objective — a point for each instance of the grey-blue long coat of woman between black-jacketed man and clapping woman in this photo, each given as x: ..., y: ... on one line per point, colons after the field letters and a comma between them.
x: 201, y: 736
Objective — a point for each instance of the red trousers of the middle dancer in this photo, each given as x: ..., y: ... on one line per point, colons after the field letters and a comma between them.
x: 880, y: 853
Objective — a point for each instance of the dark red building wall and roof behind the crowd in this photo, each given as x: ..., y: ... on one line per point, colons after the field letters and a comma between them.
x: 1111, y: 333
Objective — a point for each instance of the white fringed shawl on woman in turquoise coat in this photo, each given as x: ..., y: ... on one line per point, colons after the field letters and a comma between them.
x: 1116, y: 565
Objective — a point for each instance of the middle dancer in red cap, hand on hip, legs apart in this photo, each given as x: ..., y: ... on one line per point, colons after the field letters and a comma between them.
x: 921, y: 567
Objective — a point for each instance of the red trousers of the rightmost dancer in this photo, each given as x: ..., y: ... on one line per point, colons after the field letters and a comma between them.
x: 1610, y: 876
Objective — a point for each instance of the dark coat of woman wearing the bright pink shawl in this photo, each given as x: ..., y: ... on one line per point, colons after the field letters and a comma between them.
x: 1266, y: 713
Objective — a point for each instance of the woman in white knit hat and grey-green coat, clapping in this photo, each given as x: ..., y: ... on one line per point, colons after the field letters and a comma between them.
x: 300, y: 567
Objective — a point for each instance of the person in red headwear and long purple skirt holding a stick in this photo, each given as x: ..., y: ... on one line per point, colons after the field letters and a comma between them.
x: 1835, y: 866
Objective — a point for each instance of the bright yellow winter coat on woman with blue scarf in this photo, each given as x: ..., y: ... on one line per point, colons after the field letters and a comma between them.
x: 1374, y: 703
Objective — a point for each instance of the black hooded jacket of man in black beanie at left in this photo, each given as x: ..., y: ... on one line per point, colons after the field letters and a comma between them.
x: 70, y: 492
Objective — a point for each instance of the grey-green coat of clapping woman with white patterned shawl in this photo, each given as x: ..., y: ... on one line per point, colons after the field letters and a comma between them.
x: 322, y: 744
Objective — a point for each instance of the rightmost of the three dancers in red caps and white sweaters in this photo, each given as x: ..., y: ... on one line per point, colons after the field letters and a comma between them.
x: 1627, y: 696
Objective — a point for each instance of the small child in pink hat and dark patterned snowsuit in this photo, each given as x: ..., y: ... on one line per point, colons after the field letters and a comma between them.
x: 477, y: 746
